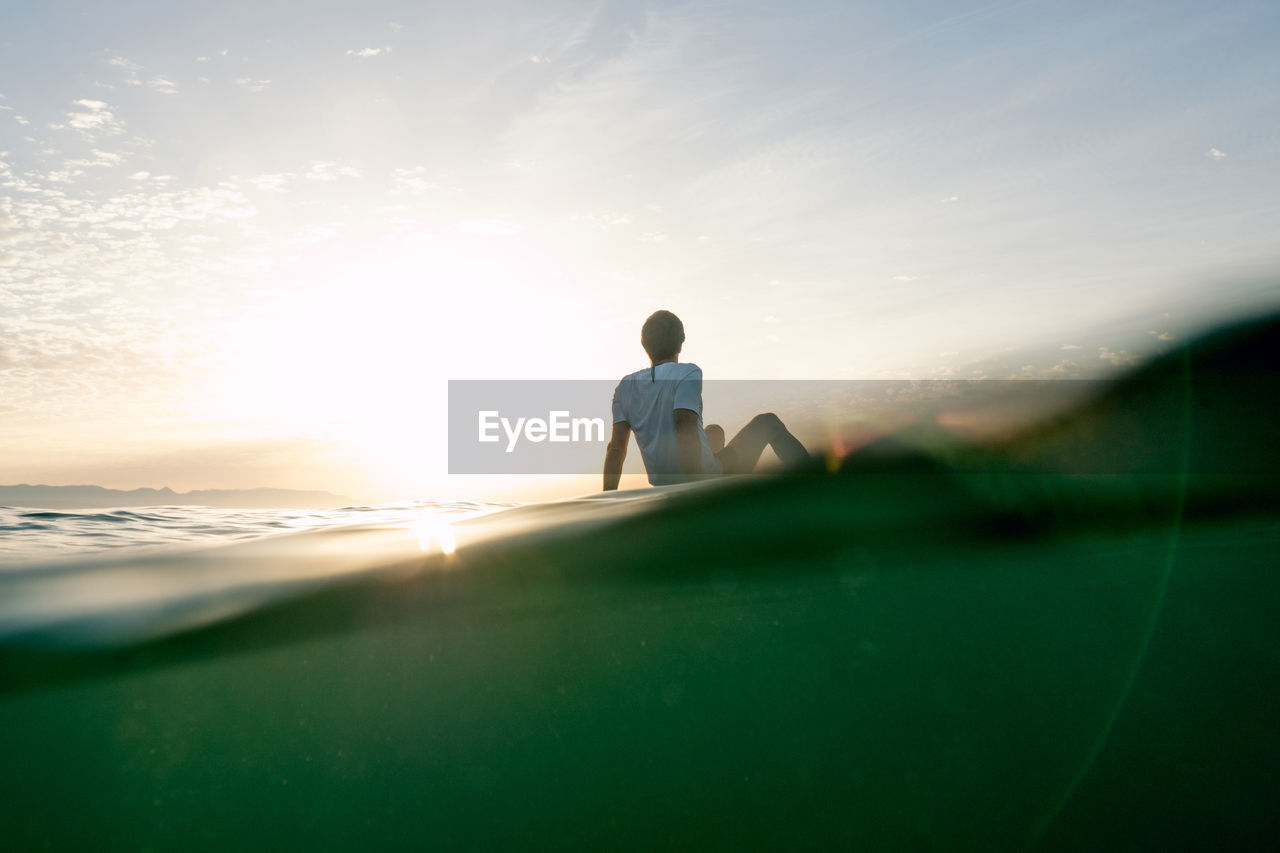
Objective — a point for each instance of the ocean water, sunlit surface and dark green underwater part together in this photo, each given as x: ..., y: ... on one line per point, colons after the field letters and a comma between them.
x: 1068, y: 641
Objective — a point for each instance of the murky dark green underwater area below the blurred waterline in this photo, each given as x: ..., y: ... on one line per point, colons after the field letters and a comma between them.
x: 1109, y: 690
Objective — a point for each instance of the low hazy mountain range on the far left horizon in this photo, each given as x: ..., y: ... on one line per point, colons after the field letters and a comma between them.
x: 66, y: 498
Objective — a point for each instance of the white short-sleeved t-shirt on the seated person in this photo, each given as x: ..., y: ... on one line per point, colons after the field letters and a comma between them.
x: 647, y: 400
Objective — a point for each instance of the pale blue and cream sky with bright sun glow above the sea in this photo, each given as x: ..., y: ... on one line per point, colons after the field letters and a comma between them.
x: 249, y: 244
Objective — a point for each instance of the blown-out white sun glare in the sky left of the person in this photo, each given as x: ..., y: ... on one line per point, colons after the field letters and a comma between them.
x: 355, y: 343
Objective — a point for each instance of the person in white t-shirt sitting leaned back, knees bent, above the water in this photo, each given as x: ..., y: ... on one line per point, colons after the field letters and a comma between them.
x: 664, y: 405
